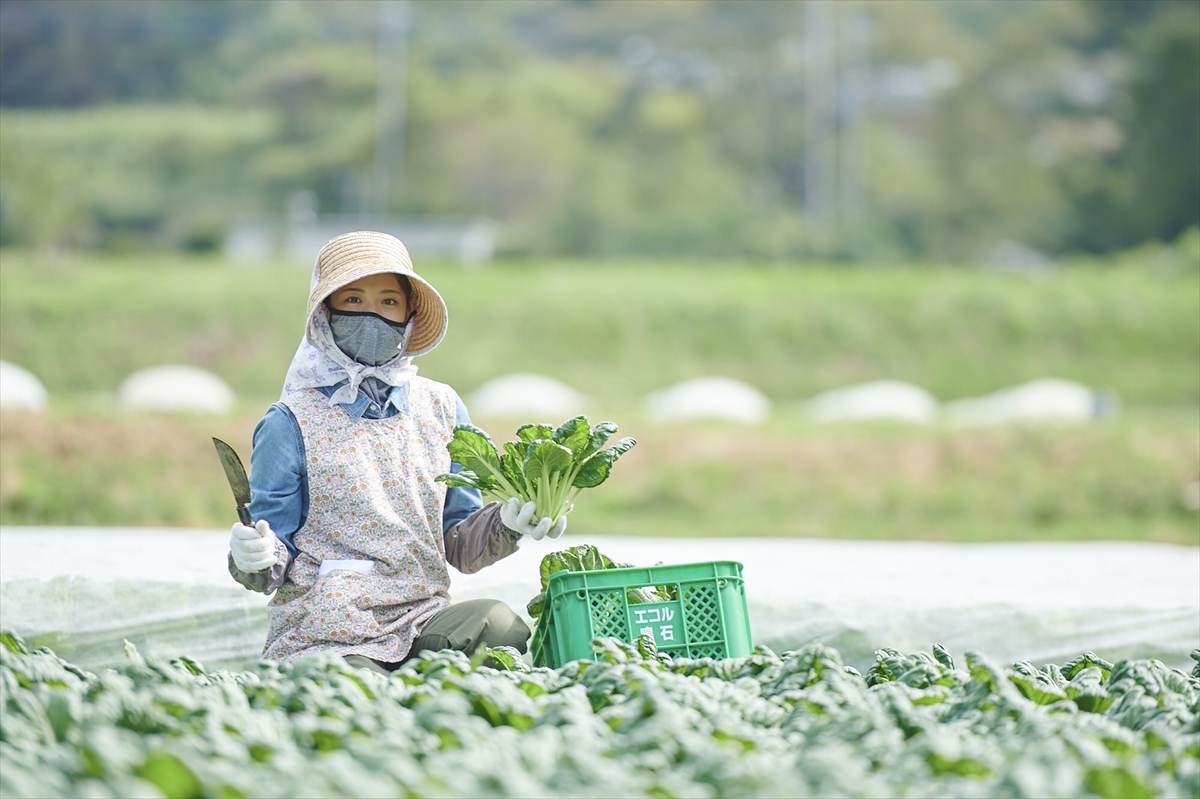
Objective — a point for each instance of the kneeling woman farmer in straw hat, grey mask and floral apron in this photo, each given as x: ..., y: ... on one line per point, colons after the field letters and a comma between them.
x: 353, y: 533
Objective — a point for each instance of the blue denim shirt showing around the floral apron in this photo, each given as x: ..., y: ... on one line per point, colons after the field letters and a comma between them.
x: 279, y: 472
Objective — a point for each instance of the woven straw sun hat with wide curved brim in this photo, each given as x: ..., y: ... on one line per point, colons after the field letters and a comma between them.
x: 352, y: 256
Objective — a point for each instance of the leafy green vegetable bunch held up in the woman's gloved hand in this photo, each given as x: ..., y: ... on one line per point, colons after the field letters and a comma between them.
x: 545, y: 466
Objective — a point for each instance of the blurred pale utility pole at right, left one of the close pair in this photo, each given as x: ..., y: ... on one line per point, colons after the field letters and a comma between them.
x: 820, y: 113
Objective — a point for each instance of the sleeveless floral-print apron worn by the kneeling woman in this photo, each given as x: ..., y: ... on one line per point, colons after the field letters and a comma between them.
x: 374, y: 503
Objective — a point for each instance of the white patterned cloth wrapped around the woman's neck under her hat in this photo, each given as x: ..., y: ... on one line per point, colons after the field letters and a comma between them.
x: 320, y: 363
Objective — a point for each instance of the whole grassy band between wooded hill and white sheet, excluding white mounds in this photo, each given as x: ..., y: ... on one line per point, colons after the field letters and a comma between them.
x: 616, y: 332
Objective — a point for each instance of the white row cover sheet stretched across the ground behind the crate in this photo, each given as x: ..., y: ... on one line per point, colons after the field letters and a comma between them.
x: 85, y: 591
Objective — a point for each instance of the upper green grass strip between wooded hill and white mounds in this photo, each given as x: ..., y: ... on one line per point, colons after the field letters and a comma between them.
x: 619, y: 331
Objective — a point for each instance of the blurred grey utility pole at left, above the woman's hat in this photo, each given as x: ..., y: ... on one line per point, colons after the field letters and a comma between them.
x: 392, y: 97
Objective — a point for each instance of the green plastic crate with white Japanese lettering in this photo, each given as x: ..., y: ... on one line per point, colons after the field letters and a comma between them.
x: 707, y: 618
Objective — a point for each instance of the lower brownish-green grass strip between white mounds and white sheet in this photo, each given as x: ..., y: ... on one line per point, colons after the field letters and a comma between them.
x: 1120, y: 480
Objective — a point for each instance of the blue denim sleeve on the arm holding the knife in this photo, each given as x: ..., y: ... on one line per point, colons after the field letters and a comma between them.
x: 279, y: 480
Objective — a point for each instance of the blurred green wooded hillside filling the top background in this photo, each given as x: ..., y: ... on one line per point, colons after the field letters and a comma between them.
x: 605, y: 129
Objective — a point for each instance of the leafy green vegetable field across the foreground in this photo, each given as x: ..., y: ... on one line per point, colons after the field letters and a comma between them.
x: 632, y: 724
